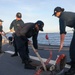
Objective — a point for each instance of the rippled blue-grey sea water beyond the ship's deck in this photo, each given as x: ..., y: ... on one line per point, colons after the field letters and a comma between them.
x: 54, y: 38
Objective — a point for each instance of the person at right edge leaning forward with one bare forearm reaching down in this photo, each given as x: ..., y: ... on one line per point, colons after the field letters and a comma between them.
x: 66, y: 19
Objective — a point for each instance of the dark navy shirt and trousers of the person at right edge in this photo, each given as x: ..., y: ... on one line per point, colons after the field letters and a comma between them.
x: 68, y: 19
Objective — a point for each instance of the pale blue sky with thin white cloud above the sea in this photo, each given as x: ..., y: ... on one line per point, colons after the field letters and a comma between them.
x: 34, y: 10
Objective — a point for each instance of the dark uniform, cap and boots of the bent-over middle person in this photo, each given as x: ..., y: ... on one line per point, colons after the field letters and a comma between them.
x: 29, y: 30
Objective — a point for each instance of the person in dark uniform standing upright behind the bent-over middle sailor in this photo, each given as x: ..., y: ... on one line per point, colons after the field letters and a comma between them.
x: 16, y: 24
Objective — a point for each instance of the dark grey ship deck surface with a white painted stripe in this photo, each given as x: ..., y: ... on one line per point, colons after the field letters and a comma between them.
x: 13, y: 65
